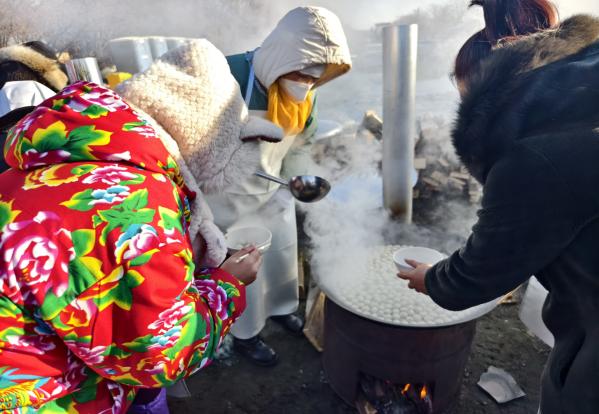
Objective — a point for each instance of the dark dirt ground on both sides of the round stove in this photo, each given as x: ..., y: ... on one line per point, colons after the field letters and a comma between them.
x: 298, y: 385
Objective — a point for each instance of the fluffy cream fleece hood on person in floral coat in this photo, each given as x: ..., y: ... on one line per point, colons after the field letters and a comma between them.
x: 191, y: 93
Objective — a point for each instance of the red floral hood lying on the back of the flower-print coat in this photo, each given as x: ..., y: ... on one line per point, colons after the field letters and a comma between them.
x: 85, y: 122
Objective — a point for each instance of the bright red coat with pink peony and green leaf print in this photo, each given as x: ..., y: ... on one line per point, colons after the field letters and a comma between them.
x: 99, y: 295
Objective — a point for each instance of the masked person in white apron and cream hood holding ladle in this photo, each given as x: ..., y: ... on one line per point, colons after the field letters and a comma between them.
x: 307, y: 49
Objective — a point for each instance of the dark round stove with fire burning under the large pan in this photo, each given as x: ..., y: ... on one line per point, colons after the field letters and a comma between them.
x: 371, y: 373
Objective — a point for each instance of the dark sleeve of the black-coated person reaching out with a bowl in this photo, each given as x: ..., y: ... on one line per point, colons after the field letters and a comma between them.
x: 528, y: 217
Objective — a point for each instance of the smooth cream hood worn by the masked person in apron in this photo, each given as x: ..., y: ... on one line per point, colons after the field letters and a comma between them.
x: 306, y: 36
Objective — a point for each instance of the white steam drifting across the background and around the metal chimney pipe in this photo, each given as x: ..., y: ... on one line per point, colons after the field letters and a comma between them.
x: 340, y: 235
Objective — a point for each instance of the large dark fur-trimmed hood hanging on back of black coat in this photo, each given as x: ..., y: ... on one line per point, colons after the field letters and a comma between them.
x: 537, y: 84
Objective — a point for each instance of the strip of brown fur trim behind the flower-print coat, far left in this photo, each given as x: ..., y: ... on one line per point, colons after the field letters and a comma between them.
x: 47, y: 68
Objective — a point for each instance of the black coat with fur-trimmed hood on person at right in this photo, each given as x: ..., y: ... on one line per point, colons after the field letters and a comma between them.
x: 528, y: 130
